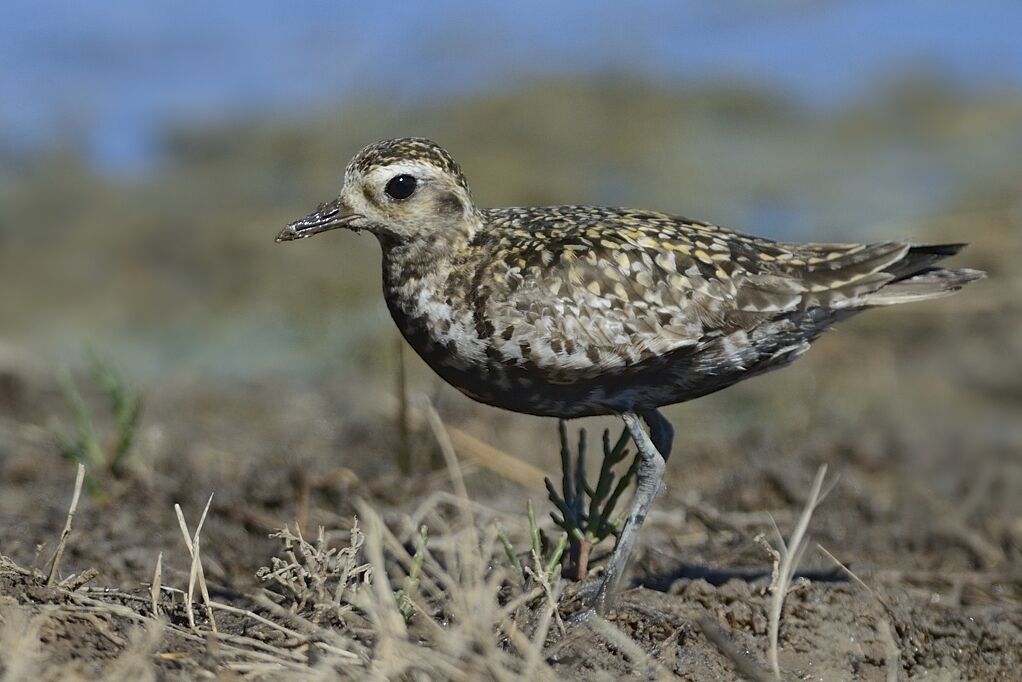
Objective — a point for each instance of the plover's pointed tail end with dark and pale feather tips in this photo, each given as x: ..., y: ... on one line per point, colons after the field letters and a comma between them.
x: 917, y: 280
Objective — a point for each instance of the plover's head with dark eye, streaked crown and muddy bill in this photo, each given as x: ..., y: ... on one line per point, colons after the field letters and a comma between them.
x: 403, y: 190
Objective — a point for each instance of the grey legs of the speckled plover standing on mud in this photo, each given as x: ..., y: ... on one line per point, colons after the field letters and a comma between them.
x: 649, y: 479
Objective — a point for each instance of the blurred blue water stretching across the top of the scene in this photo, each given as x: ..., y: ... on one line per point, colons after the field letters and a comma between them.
x: 107, y: 75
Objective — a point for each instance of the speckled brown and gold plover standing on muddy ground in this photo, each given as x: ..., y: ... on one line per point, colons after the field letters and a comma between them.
x: 577, y: 311
